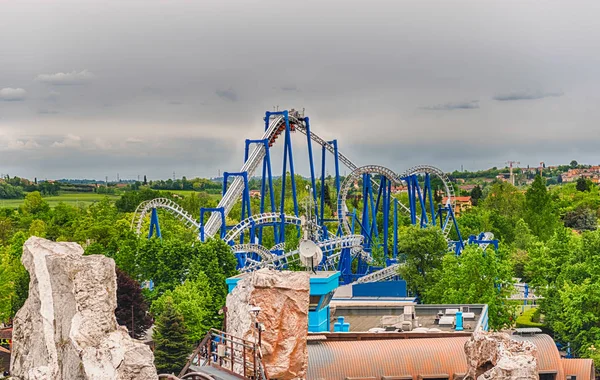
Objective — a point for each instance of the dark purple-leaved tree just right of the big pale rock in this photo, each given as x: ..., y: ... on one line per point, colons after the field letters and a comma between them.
x: 131, y: 304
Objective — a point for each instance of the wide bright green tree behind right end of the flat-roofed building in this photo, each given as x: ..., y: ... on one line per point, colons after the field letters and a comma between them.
x: 475, y: 277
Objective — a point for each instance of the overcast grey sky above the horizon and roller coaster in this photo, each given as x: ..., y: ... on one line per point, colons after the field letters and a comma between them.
x: 90, y: 89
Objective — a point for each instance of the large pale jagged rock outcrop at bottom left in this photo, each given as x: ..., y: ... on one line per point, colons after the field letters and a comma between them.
x: 67, y: 327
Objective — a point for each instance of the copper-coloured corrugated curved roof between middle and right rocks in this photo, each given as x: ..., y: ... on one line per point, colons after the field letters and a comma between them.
x: 398, y: 357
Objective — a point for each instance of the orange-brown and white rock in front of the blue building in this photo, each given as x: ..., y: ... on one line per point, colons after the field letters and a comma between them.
x: 283, y: 298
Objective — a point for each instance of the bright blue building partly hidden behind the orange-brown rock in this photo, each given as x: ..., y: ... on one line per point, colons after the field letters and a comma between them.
x: 322, y: 286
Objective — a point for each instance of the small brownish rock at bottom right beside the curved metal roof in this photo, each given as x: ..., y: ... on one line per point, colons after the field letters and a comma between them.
x: 497, y: 356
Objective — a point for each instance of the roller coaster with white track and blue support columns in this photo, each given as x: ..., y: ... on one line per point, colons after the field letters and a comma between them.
x: 348, y: 247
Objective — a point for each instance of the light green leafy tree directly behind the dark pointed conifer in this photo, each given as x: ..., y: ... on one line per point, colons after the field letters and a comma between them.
x: 192, y: 299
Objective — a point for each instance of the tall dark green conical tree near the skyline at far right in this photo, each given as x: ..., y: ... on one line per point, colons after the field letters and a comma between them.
x: 539, y: 210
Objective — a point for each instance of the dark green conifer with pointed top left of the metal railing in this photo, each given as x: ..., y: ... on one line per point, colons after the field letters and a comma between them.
x: 171, y: 343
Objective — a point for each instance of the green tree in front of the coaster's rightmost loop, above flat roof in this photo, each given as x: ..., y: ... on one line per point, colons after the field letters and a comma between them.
x: 423, y: 249
